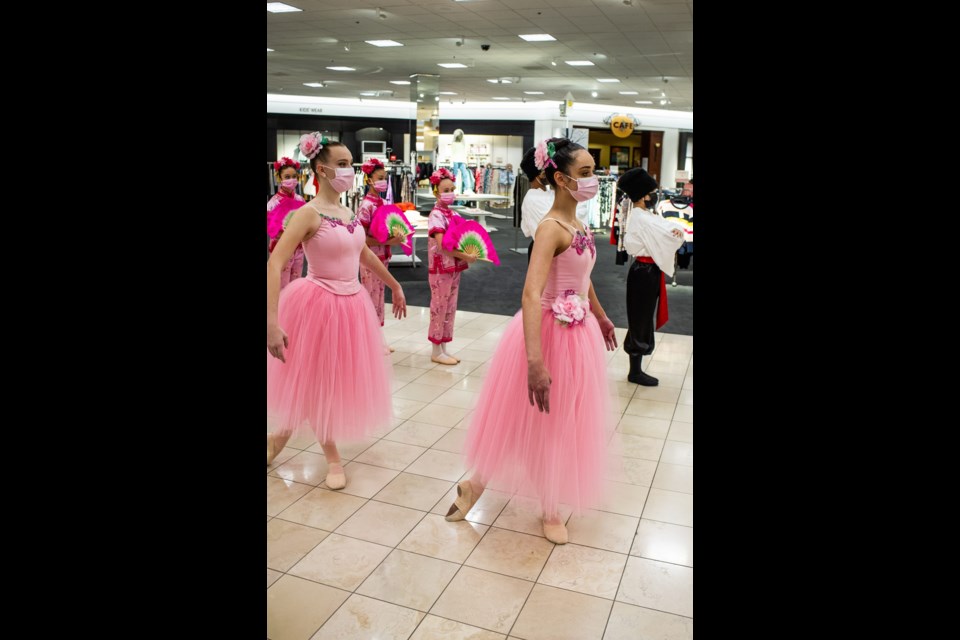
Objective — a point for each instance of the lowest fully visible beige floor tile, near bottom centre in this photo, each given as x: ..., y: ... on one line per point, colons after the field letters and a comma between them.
x: 483, y: 599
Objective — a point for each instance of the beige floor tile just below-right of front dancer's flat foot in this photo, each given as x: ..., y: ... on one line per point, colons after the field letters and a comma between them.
x: 594, y: 572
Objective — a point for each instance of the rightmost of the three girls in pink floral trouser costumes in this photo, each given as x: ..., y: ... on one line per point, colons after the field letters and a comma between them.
x: 443, y: 267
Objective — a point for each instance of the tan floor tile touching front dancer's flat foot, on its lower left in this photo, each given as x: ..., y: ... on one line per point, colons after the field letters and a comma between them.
x: 514, y: 554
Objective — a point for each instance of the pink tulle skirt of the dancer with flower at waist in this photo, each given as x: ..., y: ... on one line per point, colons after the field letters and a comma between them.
x: 557, y: 457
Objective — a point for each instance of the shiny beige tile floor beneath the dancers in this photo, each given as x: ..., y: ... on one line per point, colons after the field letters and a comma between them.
x: 377, y: 559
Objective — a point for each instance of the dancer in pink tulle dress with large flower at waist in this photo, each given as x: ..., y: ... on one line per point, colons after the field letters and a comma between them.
x: 542, y: 415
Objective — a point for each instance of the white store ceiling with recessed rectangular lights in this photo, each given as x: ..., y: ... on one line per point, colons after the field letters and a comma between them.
x: 640, y: 44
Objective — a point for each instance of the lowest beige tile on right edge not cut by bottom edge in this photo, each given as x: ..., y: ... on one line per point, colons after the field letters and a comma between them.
x: 657, y: 585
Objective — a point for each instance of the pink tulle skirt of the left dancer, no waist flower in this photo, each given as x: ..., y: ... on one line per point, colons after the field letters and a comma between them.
x: 336, y: 380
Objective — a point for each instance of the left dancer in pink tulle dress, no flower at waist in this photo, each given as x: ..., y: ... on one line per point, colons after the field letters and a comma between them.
x: 326, y: 371
